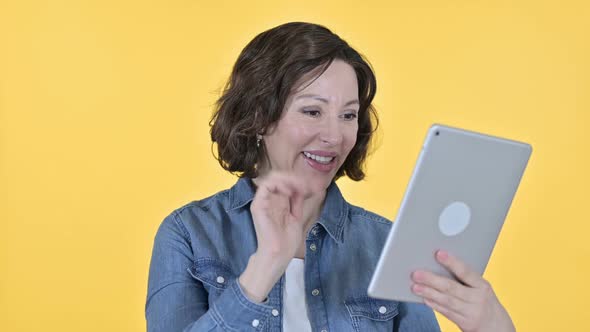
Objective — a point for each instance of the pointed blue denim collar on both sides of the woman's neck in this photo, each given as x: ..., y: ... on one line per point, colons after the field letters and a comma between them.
x: 332, y: 218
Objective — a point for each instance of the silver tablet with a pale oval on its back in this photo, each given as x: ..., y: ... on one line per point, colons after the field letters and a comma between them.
x: 457, y: 200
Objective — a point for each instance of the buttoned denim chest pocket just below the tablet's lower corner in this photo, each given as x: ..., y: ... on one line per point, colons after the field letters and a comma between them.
x: 369, y: 314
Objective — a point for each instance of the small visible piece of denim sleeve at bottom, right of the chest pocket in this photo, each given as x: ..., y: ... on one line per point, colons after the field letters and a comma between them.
x: 415, y: 317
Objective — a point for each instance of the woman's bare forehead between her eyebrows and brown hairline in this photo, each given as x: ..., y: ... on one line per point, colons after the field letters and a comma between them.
x: 338, y: 81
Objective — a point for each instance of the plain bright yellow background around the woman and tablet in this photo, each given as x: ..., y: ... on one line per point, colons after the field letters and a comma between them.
x: 104, y: 109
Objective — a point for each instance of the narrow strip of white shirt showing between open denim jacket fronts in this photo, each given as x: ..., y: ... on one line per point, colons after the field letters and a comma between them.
x: 294, y: 307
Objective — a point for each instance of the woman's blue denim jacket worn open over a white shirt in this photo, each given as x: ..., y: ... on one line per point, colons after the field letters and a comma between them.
x: 202, y: 248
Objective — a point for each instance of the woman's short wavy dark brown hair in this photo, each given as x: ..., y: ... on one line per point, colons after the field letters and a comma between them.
x: 263, y: 77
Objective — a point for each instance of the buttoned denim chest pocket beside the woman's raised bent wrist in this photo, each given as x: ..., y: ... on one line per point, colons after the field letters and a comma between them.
x: 214, y: 274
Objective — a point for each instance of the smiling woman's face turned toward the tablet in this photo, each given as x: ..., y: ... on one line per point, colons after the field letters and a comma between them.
x: 318, y: 127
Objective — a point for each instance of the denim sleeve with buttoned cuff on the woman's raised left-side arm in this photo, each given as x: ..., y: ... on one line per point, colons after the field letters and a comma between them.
x: 178, y: 302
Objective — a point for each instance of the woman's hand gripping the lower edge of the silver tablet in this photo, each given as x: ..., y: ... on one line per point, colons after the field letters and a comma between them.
x: 470, y: 303
